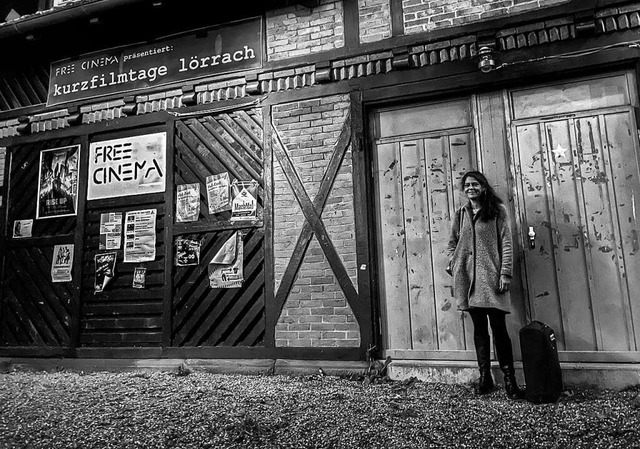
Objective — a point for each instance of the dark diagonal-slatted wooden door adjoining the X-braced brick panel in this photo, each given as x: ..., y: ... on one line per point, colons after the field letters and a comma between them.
x: 201, y: 315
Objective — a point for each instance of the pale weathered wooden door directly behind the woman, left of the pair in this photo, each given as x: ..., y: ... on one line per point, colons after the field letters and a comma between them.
x: 420, y: 154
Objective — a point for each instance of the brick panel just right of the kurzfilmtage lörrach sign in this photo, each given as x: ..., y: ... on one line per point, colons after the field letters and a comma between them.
x: 299, y: 31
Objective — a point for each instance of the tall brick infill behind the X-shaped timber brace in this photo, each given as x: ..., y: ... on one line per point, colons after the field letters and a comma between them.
x: 316, y: 313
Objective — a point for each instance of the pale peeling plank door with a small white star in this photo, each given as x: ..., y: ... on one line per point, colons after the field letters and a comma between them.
x: 577, y: 183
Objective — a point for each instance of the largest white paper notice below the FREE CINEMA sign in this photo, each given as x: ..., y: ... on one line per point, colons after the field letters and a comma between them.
x: 140, y: 236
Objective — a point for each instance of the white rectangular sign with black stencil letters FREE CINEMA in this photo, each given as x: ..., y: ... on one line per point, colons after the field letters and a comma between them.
x: 128, y: 166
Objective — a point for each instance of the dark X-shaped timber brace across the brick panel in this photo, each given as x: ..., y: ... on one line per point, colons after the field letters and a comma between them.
x: 313, y: 224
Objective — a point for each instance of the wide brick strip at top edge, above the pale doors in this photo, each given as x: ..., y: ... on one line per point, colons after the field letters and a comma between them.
x: 425, y: 15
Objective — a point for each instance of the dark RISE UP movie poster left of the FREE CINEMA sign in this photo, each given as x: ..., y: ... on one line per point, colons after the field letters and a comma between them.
x: 58, y: 182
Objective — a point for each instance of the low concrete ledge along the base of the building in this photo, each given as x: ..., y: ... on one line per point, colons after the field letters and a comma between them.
x: 586, y: 375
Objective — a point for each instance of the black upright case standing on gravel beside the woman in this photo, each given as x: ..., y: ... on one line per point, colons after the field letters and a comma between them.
x: 540, y: 362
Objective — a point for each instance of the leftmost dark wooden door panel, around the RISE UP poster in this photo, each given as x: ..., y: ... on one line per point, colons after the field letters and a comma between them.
x: 35, y: 312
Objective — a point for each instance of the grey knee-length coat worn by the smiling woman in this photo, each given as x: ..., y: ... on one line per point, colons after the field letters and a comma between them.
x: 479, y: 252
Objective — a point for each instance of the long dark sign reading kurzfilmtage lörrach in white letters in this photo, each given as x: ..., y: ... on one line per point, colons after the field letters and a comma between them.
x: 200, y: 53
